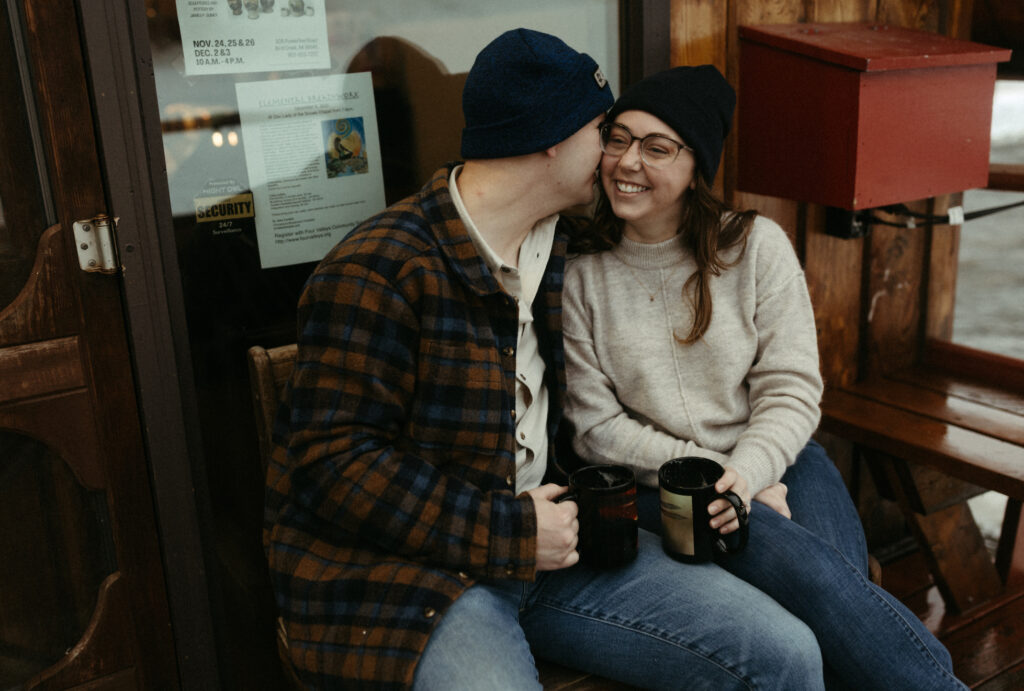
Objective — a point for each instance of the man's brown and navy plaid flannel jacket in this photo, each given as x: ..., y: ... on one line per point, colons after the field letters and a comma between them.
x: 391, y: 489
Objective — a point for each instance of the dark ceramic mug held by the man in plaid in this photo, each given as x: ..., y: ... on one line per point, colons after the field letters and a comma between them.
x: 607, y: 496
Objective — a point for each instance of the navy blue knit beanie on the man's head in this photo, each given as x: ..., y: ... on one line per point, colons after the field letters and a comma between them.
x: 528, y: 92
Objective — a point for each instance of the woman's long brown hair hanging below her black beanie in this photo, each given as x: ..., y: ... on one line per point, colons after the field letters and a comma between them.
x: 708, y: 229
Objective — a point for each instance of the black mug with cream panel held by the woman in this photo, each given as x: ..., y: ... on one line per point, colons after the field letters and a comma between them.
x: 688, y: 487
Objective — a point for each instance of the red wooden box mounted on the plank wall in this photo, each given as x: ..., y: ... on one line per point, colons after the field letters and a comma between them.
x: 860, y: 116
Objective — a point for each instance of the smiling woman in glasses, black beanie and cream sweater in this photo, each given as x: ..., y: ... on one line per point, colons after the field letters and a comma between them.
x: 690, y: 332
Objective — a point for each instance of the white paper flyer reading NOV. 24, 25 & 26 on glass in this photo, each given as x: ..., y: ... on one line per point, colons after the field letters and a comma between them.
x: 241, y: 36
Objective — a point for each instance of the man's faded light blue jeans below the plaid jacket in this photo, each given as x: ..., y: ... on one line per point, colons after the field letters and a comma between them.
x: 656, y: 624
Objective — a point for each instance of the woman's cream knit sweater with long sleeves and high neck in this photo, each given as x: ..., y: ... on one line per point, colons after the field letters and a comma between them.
x: 747, y: 395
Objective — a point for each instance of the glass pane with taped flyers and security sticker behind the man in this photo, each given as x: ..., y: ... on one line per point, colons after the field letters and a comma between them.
x: 284, y: 124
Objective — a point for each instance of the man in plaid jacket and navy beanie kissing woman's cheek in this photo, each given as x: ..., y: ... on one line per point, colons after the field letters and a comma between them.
x: 411, y: 535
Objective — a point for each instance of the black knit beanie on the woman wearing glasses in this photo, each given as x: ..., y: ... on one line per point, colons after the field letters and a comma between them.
x: 697, y: 102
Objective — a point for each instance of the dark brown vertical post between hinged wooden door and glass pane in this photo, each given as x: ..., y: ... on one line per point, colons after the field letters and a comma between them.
x: 125, y: 109
